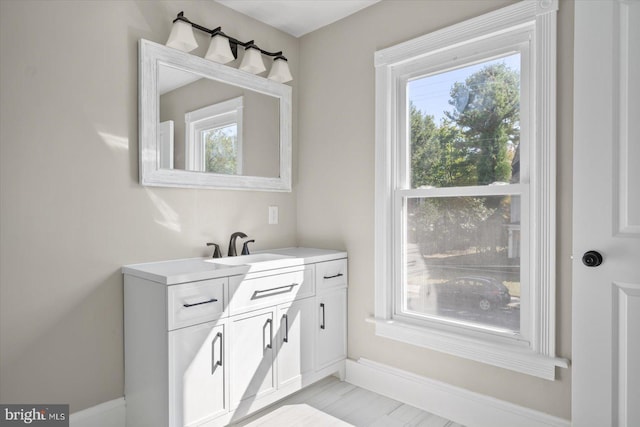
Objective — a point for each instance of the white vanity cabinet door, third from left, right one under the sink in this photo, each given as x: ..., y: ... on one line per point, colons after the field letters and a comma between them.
x: 295, y: 341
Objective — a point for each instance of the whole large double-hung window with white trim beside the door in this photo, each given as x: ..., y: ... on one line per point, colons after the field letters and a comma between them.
x: 465, y: 163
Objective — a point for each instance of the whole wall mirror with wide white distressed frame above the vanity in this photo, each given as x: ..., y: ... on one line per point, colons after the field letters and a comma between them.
x: 207, y: 125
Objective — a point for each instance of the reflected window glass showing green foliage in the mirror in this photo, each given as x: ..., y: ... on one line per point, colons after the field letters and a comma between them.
x: 221, y: 149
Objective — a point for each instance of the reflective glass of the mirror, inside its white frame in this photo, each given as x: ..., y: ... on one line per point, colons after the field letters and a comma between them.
x: 210, y: 126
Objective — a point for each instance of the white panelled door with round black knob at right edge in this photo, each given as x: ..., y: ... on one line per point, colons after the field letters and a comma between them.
x: 606, y: 214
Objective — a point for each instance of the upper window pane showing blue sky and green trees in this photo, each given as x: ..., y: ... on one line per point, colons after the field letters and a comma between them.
x: 464, y: 125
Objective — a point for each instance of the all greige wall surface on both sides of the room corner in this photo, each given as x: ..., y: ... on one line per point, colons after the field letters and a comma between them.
x: 72, y: 211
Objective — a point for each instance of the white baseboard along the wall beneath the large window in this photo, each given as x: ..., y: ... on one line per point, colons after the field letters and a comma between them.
x: 454, y: 403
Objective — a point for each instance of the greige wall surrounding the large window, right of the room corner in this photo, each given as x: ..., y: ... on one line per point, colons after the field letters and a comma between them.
x: 336, y: 183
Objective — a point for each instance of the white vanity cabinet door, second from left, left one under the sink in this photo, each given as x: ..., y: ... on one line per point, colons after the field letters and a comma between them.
x: 251, y: 351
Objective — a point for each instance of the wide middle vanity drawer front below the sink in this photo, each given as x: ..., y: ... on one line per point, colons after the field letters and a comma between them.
x: 251, y: 294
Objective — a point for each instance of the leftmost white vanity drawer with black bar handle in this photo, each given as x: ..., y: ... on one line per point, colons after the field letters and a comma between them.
x: 196, y: 302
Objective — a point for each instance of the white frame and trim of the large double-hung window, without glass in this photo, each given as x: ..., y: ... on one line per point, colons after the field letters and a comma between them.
x: 528, y: 27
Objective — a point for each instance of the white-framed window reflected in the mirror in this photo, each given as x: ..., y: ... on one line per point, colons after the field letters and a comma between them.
x: 214, y: 138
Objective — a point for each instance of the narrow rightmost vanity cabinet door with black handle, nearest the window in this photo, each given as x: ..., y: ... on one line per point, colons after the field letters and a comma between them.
x: 331, y: 327
